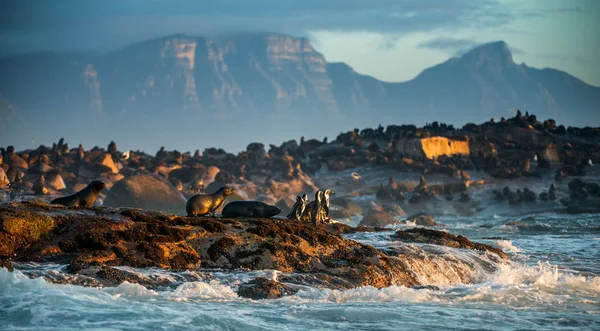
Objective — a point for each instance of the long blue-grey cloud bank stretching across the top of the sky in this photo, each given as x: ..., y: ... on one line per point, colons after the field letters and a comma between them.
x: 93, y: 24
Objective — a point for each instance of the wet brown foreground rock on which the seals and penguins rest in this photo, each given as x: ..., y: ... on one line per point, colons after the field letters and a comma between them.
x: 92, y: 240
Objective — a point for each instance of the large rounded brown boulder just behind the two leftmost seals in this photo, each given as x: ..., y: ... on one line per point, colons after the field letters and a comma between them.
x: 146, y: 192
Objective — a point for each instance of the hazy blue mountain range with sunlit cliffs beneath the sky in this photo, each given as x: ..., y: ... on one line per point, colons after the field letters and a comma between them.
x: 195, y: 92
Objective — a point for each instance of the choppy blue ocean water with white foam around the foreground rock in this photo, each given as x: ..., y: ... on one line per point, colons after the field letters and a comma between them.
x: 552, y: 283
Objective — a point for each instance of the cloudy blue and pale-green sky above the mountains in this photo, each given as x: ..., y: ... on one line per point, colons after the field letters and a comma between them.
x: 392, y: 40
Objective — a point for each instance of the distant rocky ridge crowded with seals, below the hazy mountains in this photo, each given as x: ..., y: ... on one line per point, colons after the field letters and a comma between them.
x: 521, y: 147
